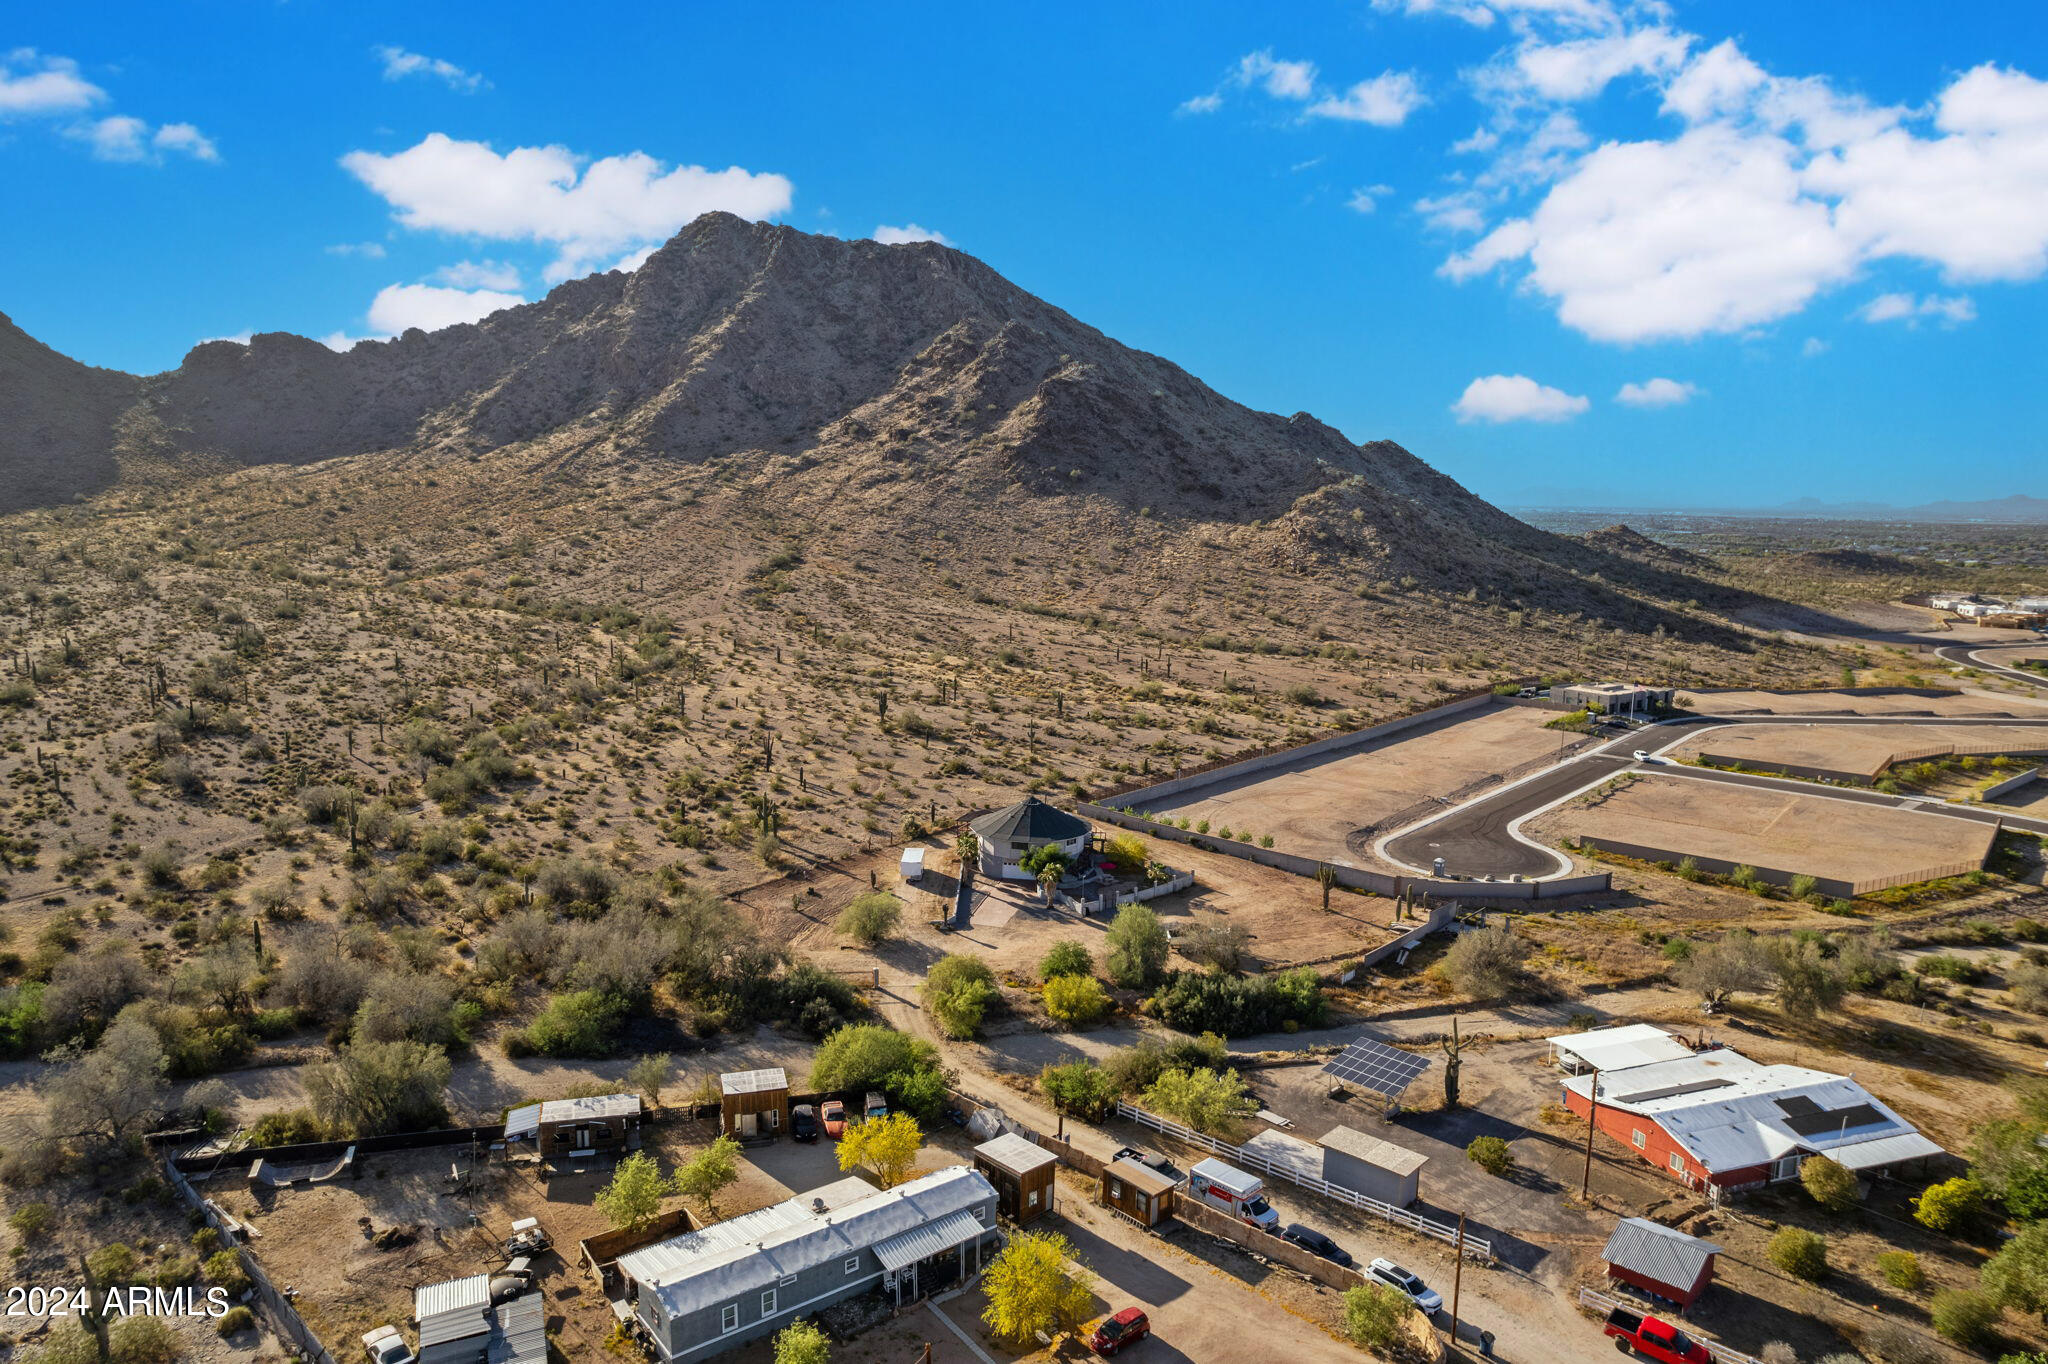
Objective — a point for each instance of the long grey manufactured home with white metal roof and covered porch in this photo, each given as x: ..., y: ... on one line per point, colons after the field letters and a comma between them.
x: 749, y: 1277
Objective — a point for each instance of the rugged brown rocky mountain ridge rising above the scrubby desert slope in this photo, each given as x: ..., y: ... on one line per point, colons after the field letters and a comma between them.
x: 890, y: 378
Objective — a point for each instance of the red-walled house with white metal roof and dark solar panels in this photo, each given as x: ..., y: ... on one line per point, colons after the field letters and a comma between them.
x: 1723, y: 1123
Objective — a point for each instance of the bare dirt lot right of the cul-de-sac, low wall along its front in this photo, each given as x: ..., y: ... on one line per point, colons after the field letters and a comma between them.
x: 1766, y: 828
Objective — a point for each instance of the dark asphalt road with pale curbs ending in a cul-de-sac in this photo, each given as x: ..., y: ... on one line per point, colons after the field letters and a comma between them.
x: 1478, y: 839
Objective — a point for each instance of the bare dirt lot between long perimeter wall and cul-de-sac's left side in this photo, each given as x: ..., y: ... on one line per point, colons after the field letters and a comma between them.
x: 1310, y: 808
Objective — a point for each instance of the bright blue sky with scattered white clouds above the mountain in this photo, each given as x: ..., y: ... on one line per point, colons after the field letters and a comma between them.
x: 1601, y: 249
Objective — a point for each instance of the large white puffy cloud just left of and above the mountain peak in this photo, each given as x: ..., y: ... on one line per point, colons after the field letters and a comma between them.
x: 589, y: 212
